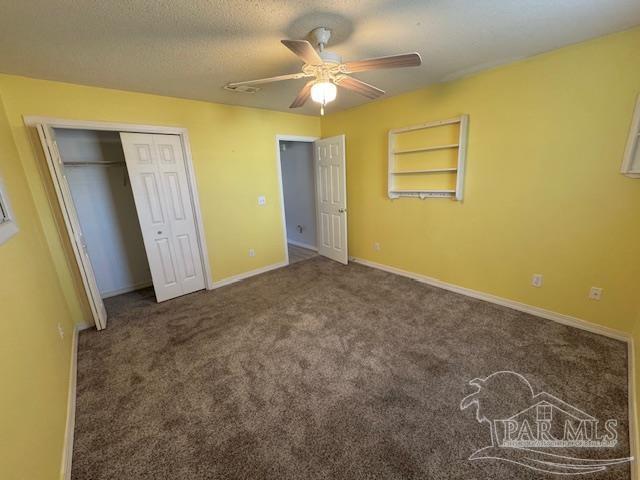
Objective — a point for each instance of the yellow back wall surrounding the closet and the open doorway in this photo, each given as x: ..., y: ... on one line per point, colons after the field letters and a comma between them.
x: 234, y: 157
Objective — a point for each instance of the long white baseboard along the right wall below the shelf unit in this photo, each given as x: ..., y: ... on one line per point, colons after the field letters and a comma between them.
x: 505, y: 302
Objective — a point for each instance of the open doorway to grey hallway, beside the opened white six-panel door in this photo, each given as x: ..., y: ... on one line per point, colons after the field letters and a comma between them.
x: 299, y: 198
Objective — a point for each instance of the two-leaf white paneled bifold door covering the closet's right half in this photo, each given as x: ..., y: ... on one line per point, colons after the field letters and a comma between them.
x: 159, y: 182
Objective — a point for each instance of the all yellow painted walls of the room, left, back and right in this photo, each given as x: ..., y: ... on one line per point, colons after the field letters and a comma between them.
x: 544, y: 195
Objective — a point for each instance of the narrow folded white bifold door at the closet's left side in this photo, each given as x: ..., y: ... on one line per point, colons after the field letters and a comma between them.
x: 54, y: 162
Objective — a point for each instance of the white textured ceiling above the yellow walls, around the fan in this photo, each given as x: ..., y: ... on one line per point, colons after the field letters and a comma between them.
x: 192, y: 48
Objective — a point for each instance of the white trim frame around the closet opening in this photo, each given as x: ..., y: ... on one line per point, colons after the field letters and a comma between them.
x: 34, y: 121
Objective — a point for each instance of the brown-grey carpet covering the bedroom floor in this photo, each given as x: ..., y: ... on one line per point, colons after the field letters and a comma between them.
x: 322, y: 371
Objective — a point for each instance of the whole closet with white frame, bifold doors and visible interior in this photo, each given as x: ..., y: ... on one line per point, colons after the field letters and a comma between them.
x: 127, y: 196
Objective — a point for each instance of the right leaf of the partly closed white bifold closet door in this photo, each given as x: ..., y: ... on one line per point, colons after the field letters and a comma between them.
x: 172, y: 168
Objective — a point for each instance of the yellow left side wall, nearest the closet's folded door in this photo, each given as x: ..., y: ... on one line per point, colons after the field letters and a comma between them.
x: 34, y: 360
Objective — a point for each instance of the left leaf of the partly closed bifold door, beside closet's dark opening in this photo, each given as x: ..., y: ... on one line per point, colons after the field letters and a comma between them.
x: 153, y: 213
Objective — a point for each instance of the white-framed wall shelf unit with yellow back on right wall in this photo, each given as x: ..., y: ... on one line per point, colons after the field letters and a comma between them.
x: 428, y: 160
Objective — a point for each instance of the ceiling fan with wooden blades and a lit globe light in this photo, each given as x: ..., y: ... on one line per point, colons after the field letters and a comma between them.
x: 327, y: 70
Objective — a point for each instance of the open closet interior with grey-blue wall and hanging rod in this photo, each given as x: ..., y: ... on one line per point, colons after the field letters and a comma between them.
x: 96, y: 173
